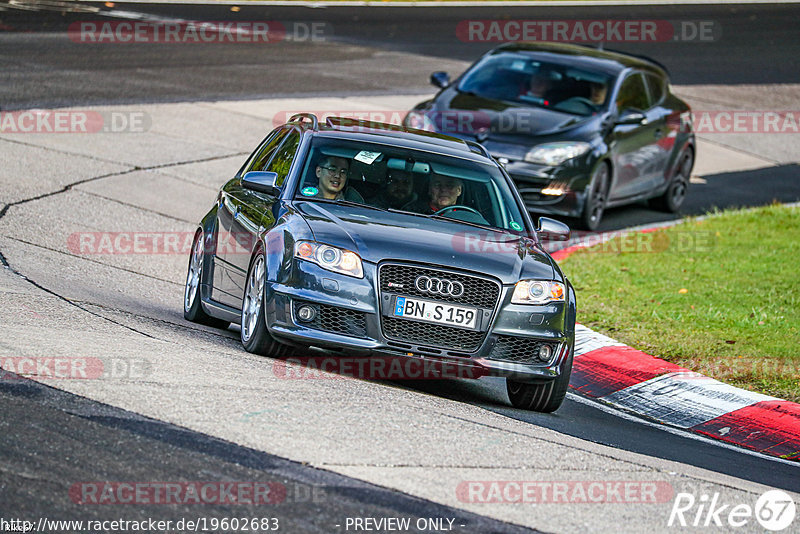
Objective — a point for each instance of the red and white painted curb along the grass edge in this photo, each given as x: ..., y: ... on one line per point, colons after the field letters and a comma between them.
x: 636, y: 382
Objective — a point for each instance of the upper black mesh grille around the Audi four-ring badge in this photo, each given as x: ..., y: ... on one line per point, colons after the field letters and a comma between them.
x: 478, y: 292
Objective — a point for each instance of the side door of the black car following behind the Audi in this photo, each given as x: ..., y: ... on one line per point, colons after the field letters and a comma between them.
x: 633, y: 144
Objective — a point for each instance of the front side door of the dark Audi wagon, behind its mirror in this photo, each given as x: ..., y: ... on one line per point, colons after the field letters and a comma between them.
x: 233, y: 239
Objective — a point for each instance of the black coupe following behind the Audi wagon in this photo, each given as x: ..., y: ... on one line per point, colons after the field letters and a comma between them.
x: 579, y: 129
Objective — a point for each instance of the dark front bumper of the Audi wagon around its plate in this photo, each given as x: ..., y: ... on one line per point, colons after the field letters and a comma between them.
x: 351, y: 314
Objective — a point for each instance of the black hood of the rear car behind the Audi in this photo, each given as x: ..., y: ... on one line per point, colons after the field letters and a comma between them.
x: 466, y: 114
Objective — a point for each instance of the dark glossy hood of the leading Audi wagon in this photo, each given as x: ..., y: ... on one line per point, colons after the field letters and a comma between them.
x: 379, y: 235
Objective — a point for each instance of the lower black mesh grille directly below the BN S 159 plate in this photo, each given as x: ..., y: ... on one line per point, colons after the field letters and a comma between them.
x: 435, y: 335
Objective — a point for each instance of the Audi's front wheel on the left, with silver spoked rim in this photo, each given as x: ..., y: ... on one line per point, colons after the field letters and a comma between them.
x: 255, y: 336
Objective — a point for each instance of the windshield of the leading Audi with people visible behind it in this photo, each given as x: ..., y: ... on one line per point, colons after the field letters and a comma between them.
x: 418, y: 182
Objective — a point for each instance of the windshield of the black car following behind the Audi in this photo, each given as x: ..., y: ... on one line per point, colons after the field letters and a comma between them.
x: 520, y: 79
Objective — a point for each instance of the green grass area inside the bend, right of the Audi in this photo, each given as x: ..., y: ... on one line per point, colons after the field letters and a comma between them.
x: 719, y: 296
